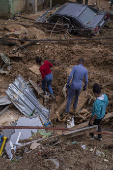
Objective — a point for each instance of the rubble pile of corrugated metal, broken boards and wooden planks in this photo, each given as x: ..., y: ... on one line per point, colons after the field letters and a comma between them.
x: 21, y: 94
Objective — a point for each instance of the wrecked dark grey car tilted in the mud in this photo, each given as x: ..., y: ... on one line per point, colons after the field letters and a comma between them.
x: 76, y: 18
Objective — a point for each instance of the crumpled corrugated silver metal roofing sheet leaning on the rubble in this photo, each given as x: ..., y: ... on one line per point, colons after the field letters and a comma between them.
x: 25, y: 100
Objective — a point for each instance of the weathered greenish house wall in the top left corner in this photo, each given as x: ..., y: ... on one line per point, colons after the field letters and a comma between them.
x: 8, y: 8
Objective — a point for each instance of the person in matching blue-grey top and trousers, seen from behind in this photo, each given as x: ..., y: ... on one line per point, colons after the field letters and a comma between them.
x: 77, y: 74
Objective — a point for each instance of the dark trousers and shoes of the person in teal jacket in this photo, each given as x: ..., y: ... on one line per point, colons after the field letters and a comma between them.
x: 96, y: 122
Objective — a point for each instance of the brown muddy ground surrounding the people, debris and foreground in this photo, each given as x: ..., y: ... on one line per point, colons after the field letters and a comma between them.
x: 98, y: 56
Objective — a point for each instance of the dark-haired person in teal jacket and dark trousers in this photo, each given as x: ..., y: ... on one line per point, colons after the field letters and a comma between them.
x: 99, y: 108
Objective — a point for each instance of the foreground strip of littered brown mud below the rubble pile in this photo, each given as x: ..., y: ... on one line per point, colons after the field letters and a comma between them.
x: 69, y: 156
